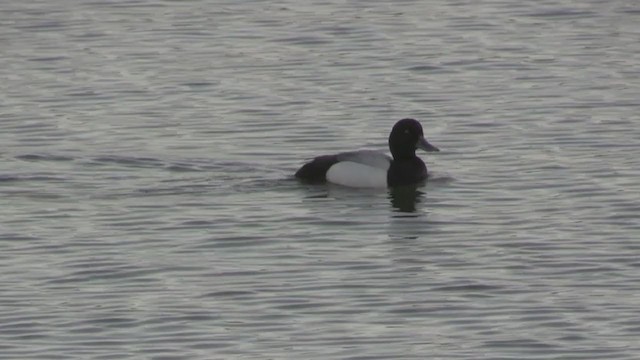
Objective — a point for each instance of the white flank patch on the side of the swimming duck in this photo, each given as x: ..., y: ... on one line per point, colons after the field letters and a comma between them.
x: 353, y: 174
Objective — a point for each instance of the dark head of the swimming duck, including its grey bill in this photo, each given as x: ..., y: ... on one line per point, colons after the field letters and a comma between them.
x: 407, y: 136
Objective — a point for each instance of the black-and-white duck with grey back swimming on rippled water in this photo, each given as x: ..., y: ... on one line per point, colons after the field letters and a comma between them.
x: 373, y: 169
